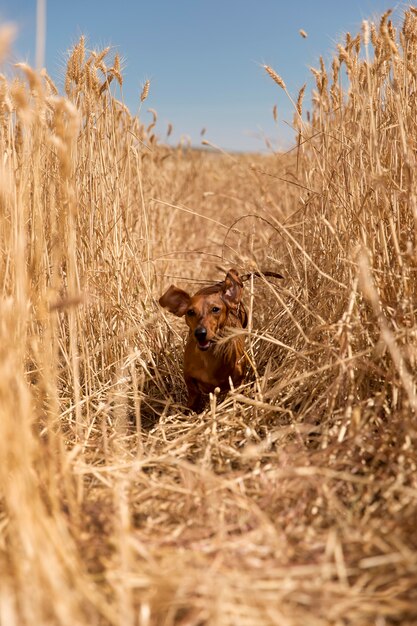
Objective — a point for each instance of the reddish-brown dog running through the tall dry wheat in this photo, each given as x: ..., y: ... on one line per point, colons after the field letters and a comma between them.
x: 208, y: 313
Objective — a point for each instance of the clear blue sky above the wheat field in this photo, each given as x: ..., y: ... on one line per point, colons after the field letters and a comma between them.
x: 203, y: 57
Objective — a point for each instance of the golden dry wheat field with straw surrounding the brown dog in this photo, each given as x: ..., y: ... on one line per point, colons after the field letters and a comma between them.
x: 294, y: 500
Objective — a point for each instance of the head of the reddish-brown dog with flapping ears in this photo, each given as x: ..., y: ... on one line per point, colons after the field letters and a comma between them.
x: 207, y: 311
